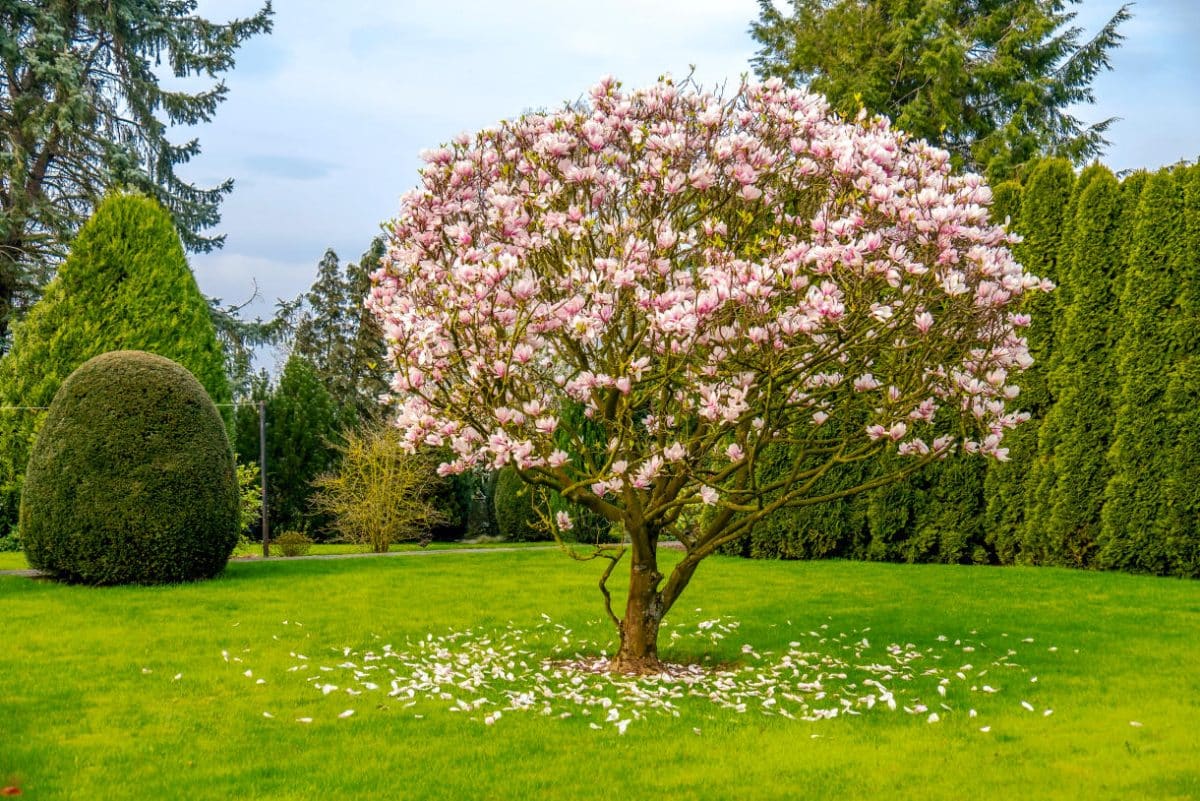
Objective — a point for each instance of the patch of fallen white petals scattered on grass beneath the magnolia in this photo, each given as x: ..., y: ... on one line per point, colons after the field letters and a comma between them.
x: 549, y: 671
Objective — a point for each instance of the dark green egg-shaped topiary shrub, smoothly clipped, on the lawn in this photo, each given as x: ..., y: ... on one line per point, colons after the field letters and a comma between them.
x: 131, y: 480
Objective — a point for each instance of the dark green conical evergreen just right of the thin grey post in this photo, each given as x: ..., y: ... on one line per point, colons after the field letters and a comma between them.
x: 303, y: 433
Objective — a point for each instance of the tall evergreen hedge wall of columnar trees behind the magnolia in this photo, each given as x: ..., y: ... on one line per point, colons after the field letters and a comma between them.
x: 1107, y: 473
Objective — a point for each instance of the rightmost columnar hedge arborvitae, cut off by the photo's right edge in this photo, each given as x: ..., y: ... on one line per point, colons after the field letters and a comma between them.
x: 1181, y: 491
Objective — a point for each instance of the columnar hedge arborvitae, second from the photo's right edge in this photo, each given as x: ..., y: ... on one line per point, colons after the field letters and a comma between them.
x: 1135, y: 516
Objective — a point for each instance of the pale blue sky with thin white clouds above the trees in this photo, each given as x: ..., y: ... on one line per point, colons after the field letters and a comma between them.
x: 327, y: 116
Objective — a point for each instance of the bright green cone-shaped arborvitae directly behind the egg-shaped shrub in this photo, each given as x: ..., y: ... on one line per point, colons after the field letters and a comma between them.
x: 127, y: 286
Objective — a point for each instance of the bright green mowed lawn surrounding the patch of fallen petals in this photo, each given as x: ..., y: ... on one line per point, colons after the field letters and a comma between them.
x: 92, y: 708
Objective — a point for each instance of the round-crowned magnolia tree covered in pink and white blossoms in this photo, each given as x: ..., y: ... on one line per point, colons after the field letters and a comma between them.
x: 709, y: 278
